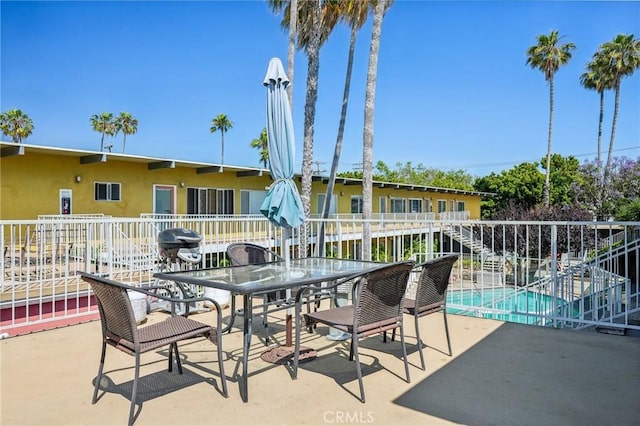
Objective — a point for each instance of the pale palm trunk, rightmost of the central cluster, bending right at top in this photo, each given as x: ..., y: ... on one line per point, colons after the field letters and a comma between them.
x: 369, y: 108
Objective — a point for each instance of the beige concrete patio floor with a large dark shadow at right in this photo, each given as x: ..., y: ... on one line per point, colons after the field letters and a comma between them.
x: 500, y: 374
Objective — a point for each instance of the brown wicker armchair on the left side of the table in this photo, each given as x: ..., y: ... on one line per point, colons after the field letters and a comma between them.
x: 119, y: 330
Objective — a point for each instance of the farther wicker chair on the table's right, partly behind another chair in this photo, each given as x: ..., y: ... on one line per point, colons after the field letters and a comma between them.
x: 431, y: 295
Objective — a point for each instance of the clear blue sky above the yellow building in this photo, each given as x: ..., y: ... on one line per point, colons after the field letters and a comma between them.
x: 453, y: 90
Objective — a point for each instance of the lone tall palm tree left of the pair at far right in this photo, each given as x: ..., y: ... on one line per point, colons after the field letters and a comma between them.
x: 548, y: 56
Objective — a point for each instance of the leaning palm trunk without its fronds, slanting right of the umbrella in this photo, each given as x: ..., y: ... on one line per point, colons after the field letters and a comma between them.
x: 338, y: 148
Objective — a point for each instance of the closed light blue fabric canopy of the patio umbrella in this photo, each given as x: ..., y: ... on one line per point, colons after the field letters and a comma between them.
x: 282, y: 205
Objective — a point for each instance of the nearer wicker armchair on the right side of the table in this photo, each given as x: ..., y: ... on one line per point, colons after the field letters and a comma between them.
x: 378, y: 297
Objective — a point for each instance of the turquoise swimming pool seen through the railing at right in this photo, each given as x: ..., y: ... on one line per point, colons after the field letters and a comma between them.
x: 505, y: 304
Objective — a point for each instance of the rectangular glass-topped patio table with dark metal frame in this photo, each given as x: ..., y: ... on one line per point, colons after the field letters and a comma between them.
x: 255, y: 279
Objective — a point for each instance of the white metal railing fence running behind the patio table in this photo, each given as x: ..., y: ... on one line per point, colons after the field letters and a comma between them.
x: 576, y: 274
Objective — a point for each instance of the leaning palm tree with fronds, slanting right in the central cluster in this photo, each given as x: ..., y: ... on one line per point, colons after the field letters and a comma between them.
x: 354, y: 13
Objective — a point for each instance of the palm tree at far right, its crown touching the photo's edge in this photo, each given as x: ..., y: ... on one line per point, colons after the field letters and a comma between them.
x: 622, y: 56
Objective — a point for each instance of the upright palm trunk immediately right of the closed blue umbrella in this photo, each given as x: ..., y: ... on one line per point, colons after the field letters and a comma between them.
x: 309, y: 121
